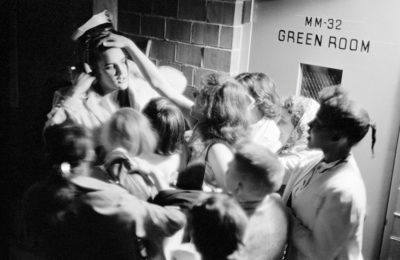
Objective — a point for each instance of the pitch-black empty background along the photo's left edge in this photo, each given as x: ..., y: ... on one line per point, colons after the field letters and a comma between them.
x: 37, y: 50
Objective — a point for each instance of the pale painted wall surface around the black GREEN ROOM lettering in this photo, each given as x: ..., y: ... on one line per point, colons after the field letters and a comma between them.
x: 373, y: 78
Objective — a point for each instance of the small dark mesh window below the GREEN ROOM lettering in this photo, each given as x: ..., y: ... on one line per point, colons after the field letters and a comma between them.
x: 314, y: 78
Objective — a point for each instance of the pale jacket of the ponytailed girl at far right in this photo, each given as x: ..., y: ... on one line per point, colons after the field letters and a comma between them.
x: 328, y: 210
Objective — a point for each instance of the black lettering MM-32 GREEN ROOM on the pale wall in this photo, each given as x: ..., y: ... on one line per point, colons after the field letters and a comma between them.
x: 342, y: 43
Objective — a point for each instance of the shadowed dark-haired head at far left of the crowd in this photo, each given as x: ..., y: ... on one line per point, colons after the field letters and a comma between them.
x: 68, y: 143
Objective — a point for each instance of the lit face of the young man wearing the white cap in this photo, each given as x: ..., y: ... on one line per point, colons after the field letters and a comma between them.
x: 113, y: 70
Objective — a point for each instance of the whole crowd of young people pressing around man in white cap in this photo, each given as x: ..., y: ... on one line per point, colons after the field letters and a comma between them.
x: 137, y: 170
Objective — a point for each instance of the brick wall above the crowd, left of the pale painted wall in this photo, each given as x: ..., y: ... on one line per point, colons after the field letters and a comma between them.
x: 195, y: 36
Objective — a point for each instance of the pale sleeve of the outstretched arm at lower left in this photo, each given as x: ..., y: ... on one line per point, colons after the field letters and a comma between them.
x: 147, y: 220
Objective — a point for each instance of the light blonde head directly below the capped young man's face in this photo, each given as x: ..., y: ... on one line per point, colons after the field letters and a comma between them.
x: 130, y: 130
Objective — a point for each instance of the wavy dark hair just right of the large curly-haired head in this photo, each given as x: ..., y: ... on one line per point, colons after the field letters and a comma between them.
x: 262, y: 88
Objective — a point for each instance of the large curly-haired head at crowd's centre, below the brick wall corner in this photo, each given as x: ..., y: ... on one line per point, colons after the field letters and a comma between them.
x: 224, y: 107
